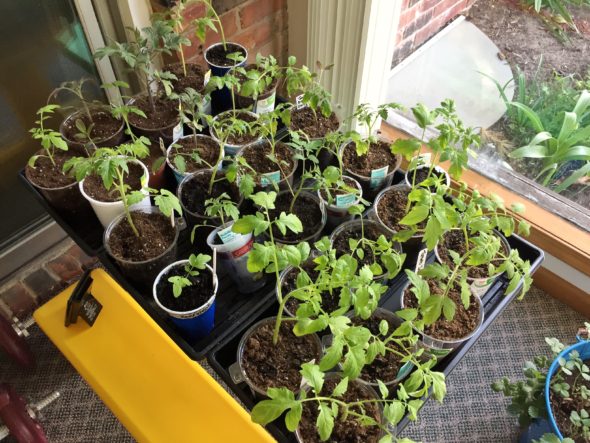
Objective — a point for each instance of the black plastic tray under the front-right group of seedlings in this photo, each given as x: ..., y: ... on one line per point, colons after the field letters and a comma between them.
x: 225, y: 353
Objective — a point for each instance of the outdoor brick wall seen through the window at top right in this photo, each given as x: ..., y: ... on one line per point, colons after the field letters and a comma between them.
x: 420, y: 20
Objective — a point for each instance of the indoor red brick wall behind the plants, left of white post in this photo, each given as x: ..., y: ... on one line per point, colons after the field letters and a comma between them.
x: 258, y: 25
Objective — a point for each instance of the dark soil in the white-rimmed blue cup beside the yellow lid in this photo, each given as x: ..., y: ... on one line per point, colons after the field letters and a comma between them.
x: 192, y: 296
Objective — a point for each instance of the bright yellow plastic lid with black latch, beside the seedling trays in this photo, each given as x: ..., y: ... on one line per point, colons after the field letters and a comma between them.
x: 150, y: 384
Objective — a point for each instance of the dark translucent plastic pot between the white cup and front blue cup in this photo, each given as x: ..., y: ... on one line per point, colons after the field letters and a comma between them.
x: 143, y: 273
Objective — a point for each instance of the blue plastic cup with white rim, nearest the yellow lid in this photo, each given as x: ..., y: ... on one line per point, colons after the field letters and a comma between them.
x: 194, y: 324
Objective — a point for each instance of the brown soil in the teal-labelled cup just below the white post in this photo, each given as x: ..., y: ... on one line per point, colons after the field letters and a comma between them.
x: 378, y: 156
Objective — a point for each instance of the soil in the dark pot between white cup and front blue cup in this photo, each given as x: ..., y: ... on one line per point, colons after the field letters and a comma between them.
x: 155, y: 236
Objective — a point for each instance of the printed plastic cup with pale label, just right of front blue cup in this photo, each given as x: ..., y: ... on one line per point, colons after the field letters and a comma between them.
x: 233, y: 255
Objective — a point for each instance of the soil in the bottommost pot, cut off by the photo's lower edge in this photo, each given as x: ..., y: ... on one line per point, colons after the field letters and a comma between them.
x: 345, y: 431
